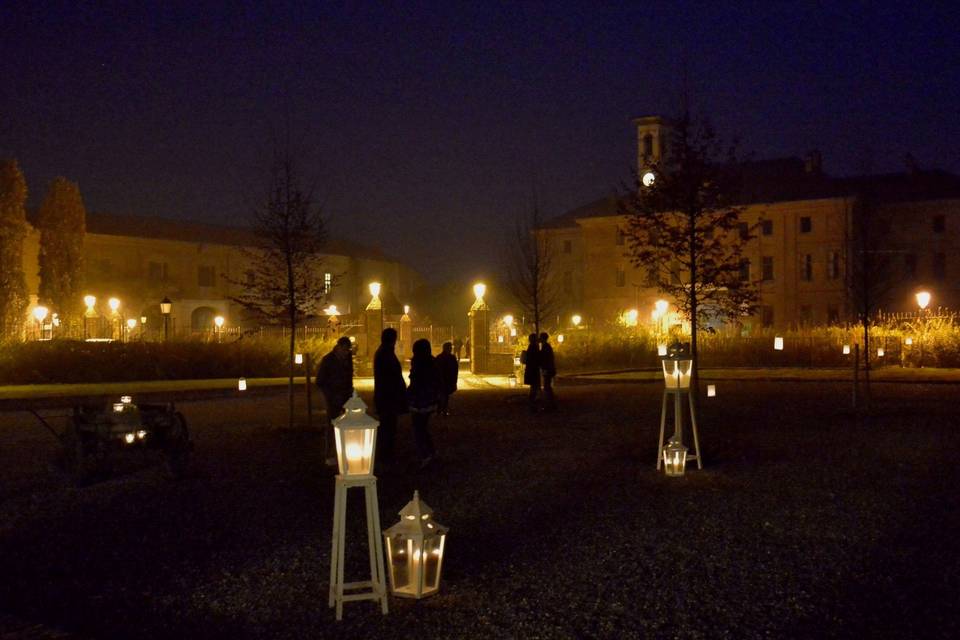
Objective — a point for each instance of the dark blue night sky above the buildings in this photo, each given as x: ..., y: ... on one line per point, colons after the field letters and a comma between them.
x: 426, y: 127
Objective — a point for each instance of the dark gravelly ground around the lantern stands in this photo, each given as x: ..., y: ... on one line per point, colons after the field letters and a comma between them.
x: 805, y: 522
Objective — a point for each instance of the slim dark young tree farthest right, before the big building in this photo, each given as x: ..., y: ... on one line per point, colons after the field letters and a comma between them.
x: 869, y: 270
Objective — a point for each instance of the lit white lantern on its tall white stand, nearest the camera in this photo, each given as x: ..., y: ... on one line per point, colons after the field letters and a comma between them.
x: 356, y: 435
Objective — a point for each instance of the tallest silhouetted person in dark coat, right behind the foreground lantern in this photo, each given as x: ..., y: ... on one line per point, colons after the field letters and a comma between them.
x: 389, y: 394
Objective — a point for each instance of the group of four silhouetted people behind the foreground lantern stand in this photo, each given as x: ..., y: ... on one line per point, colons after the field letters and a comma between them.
x: 432, y: 381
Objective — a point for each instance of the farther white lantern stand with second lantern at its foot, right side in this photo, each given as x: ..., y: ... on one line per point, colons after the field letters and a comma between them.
x: 677, y: 370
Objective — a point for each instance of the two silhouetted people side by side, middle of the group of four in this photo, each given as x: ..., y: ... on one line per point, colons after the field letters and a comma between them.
x: 392, y: 398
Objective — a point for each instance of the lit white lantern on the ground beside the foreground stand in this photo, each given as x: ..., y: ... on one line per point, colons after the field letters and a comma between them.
x: 415, y: 551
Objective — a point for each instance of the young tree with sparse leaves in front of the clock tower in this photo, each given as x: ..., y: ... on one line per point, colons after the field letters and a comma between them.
x: 685, y: 227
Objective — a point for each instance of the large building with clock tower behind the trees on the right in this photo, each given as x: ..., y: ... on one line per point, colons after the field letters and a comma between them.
x: 802, y: 220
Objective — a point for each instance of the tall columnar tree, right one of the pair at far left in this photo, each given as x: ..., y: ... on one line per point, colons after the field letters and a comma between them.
x: 62, y: 224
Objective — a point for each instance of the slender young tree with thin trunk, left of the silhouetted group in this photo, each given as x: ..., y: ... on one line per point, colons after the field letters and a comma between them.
x: 285, y: 283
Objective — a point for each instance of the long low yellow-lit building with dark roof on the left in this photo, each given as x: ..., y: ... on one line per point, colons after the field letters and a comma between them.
x: 141, y: 261
